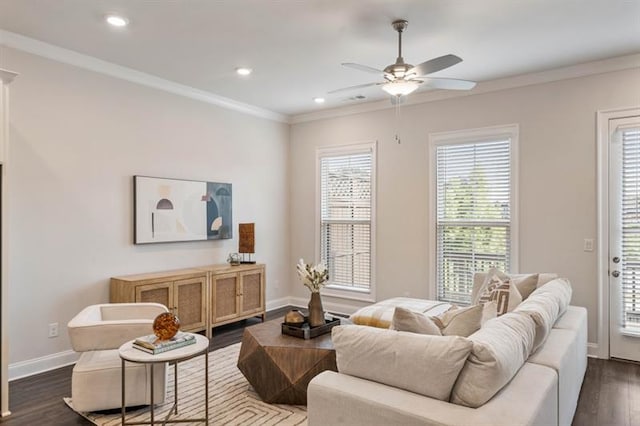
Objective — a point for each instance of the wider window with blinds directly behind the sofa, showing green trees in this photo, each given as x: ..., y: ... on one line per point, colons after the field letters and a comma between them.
x: 473, y: 208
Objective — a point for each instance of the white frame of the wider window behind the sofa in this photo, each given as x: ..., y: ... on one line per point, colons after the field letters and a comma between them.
x: 468, y: 136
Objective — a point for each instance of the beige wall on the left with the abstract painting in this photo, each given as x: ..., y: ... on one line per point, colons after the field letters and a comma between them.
x: 77, y: 138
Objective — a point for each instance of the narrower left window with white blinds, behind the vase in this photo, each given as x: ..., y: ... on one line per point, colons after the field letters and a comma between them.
x: 346, y: 178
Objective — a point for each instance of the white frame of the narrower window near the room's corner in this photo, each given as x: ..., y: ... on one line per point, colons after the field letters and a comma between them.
x: 339, y: 150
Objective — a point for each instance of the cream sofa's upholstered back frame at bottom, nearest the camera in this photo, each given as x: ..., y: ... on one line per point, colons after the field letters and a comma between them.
x: 339, y: 399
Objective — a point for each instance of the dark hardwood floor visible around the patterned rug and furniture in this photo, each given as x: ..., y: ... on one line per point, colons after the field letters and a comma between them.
x: 610, y: 393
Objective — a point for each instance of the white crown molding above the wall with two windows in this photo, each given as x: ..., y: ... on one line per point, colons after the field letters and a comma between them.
x: 574, y: 71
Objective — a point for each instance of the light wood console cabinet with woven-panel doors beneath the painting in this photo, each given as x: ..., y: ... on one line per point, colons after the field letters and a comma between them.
x: 202, y: 297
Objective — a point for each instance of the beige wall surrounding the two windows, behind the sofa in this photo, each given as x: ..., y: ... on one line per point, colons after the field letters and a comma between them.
x: 557, y: 180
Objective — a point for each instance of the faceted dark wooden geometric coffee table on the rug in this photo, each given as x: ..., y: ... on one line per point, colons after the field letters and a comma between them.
x: 279, y: 367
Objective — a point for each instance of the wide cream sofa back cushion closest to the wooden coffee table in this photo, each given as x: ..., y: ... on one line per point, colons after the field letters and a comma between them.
x: 427, y: 365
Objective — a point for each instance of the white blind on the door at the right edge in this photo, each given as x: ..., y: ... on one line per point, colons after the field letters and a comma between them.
x: 631, y: 229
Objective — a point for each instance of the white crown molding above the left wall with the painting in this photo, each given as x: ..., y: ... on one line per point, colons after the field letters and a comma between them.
x: 59, y: 54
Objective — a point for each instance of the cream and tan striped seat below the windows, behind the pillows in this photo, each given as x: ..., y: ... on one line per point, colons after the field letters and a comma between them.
x: 380, y: 314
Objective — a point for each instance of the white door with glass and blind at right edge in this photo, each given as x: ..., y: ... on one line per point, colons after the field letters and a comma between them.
x: 624, y: 238
